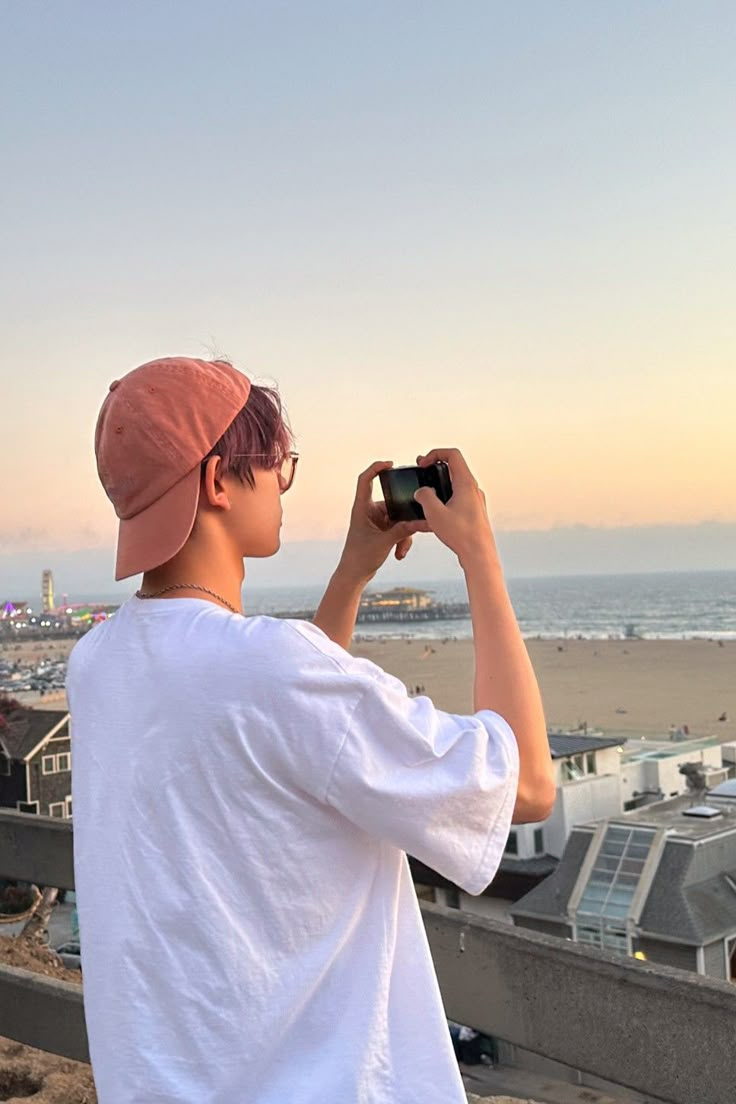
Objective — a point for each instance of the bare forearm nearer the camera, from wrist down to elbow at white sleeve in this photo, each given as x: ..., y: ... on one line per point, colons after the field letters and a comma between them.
x: 505, y: 682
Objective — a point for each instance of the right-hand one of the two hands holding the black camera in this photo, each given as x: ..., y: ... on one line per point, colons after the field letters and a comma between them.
x: 463, y: 524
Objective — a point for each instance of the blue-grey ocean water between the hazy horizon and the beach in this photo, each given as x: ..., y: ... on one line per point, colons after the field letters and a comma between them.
x: 673, y: 606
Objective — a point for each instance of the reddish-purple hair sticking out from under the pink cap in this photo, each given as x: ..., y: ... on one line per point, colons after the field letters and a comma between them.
x: 261, y: 430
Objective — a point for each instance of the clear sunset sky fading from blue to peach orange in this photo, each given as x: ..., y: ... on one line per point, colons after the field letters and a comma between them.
x: 508, y: 228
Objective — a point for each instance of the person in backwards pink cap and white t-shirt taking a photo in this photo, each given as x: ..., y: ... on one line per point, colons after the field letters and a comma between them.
x: 247, y: 793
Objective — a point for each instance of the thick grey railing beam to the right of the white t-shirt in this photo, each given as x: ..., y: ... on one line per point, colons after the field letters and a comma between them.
x: 659, y: 1032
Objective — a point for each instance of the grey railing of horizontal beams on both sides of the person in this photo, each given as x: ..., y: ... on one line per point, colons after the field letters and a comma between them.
x: 663, y: 1033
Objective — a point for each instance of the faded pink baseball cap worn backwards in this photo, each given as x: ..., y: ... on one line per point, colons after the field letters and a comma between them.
x: 154, y: 430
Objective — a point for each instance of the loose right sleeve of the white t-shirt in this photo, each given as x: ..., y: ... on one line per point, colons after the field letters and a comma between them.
x: 440, y: 787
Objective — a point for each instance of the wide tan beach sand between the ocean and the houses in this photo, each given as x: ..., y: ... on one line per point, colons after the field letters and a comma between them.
x: 657, y: 684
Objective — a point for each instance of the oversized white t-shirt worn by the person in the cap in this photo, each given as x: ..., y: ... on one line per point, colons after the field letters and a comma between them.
x: 246, y: 793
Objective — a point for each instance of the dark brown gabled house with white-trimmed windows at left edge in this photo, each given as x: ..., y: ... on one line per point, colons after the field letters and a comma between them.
x: 36, y: 762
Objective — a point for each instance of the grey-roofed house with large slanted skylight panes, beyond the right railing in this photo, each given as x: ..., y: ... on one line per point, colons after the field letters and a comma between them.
x: 657, y: 883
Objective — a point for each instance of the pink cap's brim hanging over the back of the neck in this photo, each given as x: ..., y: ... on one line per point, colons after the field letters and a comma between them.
x: 156, y: 535
